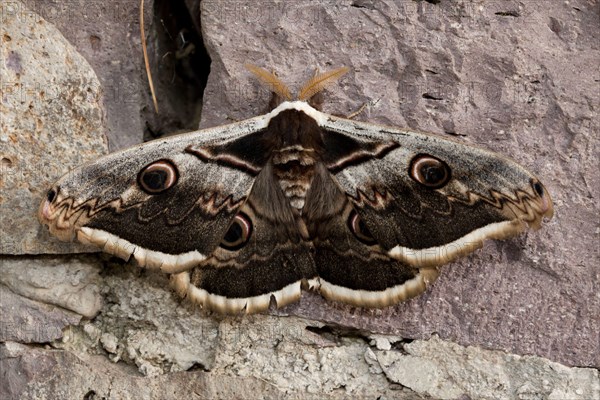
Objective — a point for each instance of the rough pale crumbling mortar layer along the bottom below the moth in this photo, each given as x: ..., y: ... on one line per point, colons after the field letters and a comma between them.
x: 145, y: 338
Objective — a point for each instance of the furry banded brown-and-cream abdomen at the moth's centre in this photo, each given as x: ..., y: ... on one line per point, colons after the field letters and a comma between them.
x: 294, y: 168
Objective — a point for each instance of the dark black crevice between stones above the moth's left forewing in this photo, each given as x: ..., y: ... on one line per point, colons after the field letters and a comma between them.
x: 180, y: 66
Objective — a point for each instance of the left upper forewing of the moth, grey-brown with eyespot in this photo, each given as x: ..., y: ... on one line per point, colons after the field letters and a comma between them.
x: 210, y: 176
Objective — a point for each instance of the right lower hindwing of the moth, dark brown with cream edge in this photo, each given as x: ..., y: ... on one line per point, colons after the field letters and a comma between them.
x: 352, y: 267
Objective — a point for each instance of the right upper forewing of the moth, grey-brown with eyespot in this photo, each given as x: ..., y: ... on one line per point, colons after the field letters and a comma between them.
x: 382, y: 171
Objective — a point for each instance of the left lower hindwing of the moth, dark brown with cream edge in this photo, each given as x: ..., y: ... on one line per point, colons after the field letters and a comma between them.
x: 268, y: 259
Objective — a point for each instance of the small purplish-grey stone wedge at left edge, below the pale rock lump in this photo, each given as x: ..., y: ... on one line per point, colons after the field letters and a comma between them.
x: 27, y: 321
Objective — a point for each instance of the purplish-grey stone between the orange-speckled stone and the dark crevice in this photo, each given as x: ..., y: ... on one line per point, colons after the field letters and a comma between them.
x: 107, y: 35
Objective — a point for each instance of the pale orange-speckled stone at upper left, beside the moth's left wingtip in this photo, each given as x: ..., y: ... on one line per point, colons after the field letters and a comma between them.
x: 52, y: 120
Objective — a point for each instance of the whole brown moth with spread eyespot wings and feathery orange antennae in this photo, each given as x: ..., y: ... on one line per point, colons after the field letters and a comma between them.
x: 247, y: 215
